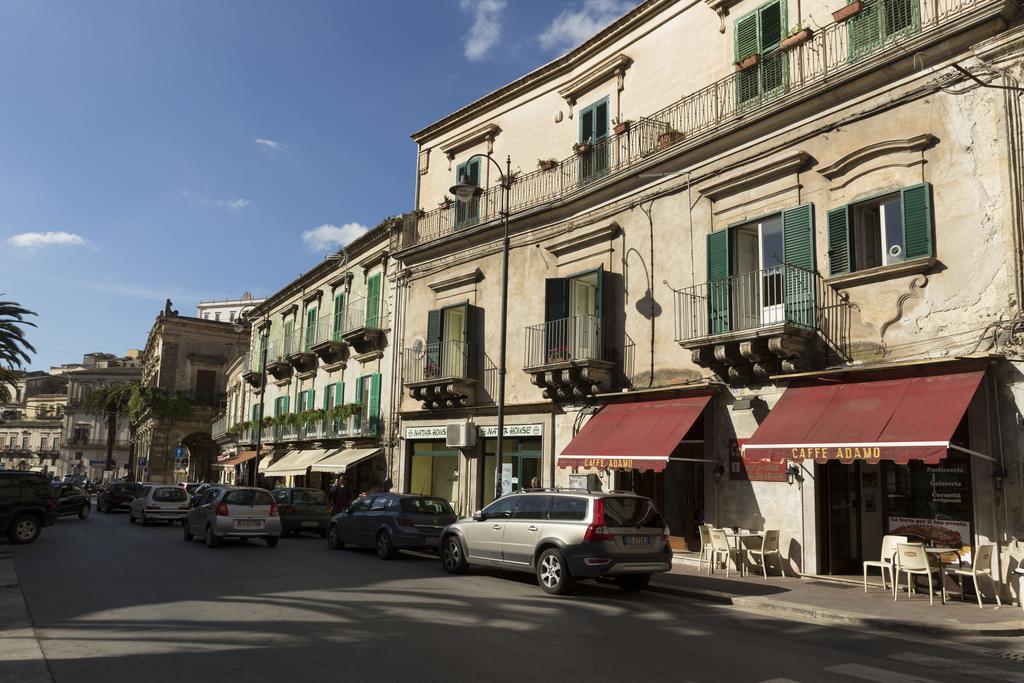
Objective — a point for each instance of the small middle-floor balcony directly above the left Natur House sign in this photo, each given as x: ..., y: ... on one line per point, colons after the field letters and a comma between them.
x: 442, y: 374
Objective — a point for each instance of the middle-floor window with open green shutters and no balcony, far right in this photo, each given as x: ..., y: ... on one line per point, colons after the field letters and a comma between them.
x: 881, y: 231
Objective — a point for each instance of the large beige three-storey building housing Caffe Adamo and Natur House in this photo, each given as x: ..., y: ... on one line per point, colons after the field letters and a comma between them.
x: 771, y: 277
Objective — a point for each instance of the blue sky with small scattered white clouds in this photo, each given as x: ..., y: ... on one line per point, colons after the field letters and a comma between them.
x: 199, y: 149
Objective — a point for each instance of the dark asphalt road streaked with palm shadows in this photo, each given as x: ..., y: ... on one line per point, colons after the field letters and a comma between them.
x: 119, y: 603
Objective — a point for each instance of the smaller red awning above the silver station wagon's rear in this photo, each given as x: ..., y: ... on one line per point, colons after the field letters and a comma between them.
x: 633, y: 436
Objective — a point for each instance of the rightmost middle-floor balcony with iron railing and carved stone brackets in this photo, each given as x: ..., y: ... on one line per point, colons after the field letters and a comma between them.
x: 755, y: 325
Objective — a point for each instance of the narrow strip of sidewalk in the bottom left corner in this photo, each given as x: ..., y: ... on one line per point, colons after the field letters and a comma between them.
x: 21, y: 658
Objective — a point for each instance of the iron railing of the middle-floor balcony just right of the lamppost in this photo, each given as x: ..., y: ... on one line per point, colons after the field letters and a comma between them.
x: 576, y: 339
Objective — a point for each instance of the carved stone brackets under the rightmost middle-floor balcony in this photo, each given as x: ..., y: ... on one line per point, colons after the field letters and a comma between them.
x: 756, y: 360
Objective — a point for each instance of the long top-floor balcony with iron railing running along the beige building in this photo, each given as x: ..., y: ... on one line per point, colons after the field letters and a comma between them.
x: 781, y: 79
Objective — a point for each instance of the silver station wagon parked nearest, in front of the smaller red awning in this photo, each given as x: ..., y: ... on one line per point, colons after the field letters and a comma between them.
x: 564, y: 536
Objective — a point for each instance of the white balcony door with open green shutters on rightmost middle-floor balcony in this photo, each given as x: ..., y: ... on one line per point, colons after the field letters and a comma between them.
x: 761, y: 273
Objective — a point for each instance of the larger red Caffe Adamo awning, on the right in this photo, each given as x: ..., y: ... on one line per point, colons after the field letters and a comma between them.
x: 910, y: 418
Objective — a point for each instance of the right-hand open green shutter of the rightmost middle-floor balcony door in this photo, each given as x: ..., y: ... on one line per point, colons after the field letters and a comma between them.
x: 799, y: 284
